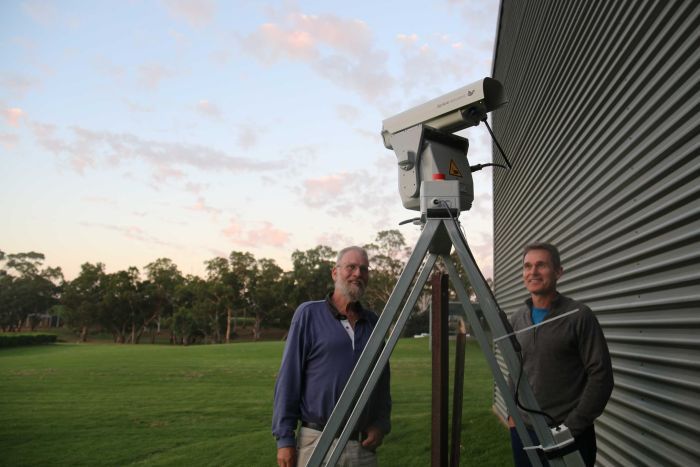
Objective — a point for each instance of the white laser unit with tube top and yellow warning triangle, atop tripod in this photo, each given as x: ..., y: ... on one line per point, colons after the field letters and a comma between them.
x: 424, y: 144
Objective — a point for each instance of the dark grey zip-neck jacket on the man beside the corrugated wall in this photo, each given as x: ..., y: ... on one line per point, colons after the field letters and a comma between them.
x: 566, y: 362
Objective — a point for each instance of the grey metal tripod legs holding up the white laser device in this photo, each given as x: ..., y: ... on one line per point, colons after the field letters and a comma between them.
x: 439, y: 234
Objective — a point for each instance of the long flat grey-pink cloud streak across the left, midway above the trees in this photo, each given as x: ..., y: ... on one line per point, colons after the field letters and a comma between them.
x: 83, y: 148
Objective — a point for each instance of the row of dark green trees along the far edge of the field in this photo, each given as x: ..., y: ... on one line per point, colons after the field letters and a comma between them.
x: 134, y: 305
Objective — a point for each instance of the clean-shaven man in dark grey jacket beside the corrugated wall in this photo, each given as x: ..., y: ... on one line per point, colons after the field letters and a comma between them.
x: 565, y: 358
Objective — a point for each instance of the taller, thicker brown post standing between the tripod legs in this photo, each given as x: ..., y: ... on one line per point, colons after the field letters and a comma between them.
x: 440, y: 372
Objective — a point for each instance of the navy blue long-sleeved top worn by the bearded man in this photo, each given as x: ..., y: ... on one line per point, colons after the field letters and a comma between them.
x: 318, y: 360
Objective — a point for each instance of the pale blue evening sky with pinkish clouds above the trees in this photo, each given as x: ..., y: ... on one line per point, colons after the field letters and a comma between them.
x: 134, y: 130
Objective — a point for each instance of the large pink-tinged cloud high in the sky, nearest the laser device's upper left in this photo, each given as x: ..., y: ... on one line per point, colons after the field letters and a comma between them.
x: 337, y: 49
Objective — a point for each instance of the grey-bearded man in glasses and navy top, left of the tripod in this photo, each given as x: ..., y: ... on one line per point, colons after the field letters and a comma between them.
x: 325, y: 340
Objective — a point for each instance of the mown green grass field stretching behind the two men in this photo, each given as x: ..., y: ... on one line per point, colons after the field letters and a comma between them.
x: 208, y: 405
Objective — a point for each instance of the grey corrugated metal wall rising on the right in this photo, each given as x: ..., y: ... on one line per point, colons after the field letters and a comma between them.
x: 602, y: 128
